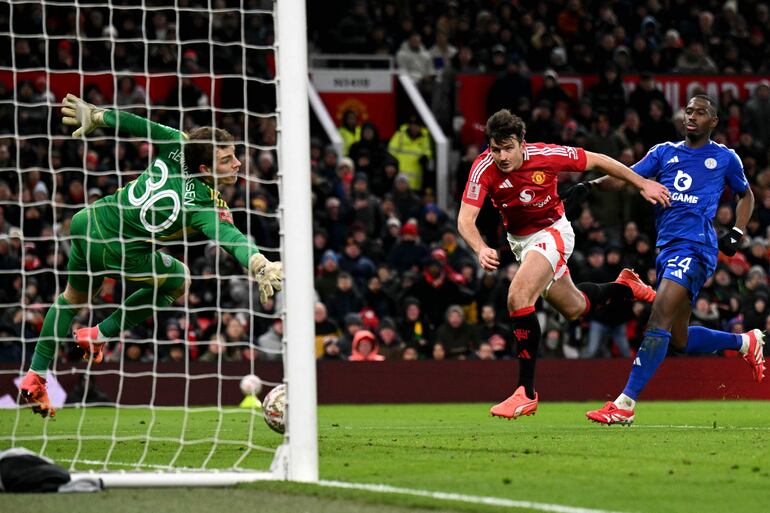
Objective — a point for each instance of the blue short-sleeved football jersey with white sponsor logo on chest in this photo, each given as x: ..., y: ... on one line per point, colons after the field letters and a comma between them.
x: 696, y: 178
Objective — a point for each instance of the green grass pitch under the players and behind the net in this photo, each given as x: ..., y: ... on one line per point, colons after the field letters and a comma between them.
x: 700, y: 457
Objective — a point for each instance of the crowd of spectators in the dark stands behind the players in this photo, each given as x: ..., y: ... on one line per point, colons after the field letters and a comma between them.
x: 393, y: 279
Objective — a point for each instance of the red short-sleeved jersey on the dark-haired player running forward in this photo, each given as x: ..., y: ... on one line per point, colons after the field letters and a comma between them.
x: 526, y: 197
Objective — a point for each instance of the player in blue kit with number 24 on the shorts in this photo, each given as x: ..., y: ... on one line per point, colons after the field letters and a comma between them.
x: 696, y: 172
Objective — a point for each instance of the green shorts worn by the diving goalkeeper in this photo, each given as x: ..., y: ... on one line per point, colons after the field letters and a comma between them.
x: 96, y: 255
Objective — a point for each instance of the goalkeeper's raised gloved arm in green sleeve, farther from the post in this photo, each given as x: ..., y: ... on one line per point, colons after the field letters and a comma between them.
x: 87, y: 118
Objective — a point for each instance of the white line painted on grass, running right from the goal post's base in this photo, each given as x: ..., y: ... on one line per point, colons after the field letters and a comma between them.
x: 472, y: 499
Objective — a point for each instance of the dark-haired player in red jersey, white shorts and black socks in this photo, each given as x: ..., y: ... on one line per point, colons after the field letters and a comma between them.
x: 520, y: 179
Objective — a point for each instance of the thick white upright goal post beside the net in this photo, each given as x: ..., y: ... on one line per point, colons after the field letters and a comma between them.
x: 301, y: 456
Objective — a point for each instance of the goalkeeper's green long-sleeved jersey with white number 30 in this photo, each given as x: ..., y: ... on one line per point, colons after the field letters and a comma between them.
x: 163, y: 203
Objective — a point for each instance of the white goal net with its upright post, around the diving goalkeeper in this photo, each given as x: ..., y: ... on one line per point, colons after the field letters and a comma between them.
x: 164, y: 407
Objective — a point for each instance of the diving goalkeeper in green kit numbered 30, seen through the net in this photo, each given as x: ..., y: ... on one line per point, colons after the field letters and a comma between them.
x: 175, y: 197
